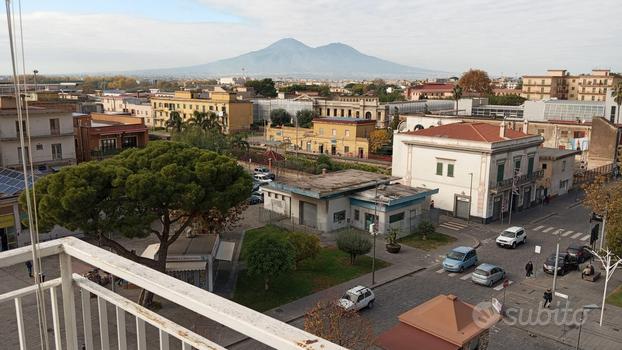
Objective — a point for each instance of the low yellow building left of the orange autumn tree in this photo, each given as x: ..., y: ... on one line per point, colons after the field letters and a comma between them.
x: 340, y: 136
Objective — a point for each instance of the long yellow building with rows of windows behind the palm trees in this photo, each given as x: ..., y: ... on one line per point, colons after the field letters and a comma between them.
x: 235, y: 115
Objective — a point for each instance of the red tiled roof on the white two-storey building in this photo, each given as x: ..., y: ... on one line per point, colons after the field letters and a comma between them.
x: 481, y: 132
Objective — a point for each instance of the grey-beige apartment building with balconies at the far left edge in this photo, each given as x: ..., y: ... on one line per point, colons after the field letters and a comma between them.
x: 50, y: 131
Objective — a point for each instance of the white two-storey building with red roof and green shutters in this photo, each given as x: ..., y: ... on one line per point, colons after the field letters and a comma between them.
x: 473, y: 165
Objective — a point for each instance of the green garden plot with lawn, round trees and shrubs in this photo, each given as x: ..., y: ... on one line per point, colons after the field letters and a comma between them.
x: 282, y: 266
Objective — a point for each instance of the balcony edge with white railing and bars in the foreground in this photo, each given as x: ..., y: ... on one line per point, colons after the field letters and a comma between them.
x: 74, y: 304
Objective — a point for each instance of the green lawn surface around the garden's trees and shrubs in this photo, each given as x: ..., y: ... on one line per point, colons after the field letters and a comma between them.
x: 329, y: 268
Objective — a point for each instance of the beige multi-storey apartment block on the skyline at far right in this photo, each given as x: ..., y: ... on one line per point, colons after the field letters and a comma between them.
x: 560, y: 84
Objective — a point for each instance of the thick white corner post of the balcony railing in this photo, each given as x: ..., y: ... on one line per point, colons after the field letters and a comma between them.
x: 69, y: 306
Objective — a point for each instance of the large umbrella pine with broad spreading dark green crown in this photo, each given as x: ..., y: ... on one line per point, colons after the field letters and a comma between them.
x: 166, y: 182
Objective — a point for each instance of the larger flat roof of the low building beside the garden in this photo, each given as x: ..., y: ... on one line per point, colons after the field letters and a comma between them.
x: 333, y: 183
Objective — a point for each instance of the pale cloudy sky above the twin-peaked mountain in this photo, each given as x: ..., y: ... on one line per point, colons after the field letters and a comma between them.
x: 500, y: 36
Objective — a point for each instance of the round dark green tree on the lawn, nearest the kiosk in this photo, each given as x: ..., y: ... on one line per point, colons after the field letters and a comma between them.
x: 269, y: 257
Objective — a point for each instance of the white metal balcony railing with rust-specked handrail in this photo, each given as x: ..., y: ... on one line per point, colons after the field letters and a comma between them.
x: 234, y: 316
